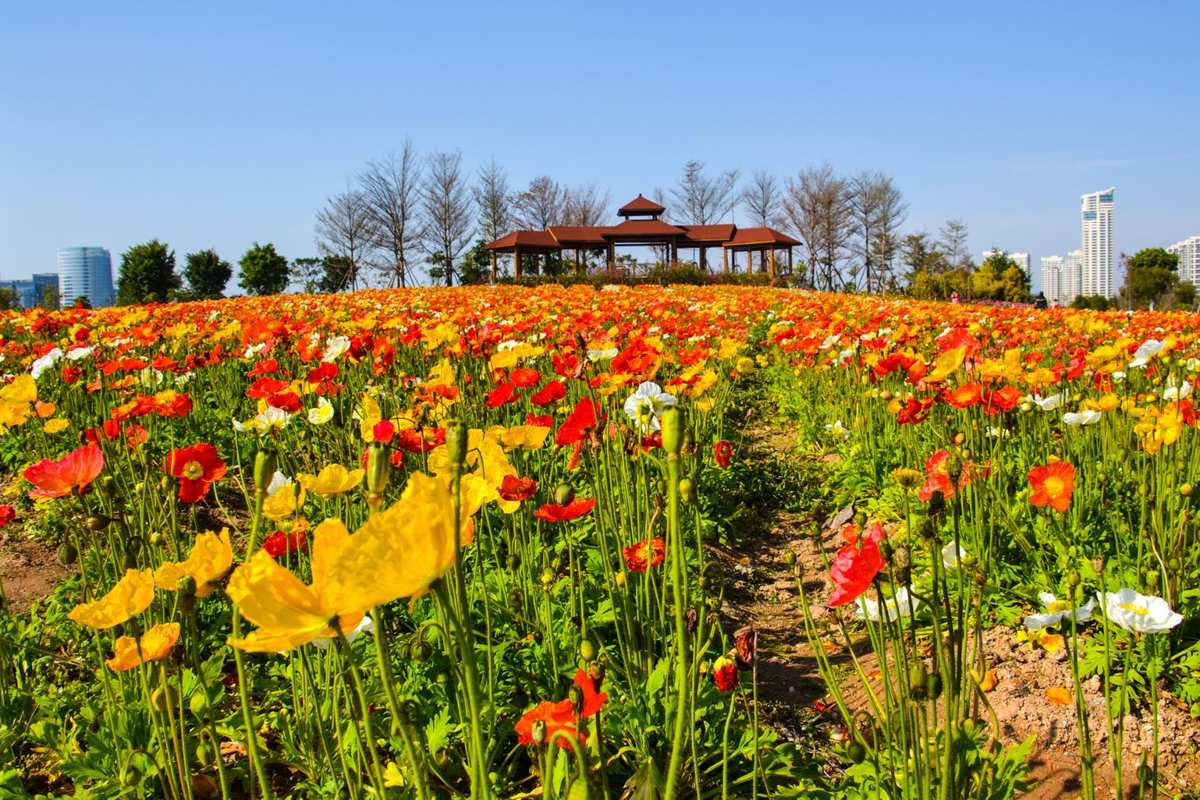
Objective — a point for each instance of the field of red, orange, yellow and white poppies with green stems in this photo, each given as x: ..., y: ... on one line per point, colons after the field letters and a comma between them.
x: 476, y: 543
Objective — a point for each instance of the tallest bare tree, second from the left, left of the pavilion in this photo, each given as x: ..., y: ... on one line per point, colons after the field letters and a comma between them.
x: 392, y: 190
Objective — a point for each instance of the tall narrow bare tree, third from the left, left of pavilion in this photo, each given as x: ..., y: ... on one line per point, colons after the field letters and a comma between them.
x: 447, y: 209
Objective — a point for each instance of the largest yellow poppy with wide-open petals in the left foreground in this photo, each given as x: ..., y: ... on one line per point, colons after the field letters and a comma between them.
x: 398, y: 554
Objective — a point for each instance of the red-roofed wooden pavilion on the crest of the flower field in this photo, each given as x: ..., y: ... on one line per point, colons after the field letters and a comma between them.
x: 644, y: 227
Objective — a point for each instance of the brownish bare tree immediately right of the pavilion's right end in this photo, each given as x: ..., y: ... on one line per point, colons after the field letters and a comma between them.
x: 818, y: 209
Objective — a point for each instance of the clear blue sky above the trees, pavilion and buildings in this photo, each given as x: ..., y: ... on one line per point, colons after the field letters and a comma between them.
x: 224, y: 124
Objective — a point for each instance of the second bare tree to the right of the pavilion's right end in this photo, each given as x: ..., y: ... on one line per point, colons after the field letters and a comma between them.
x: 878, y: 210
